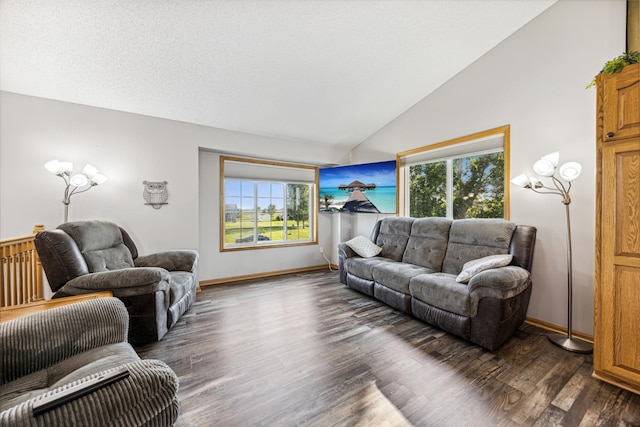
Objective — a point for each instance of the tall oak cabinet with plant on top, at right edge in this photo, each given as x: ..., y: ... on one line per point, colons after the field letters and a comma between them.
x: 616, y: 357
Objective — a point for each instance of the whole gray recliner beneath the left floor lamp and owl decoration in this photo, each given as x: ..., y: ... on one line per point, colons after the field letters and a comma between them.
x: 91, y: 256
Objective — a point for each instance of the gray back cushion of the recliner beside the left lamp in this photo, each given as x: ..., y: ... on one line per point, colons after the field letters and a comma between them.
x: 100, y: 243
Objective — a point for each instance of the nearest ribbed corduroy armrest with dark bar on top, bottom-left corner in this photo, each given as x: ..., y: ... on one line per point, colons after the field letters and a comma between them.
x: 146, y: 397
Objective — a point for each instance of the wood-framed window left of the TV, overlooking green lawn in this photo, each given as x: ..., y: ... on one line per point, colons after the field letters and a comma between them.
x: 266, y: 204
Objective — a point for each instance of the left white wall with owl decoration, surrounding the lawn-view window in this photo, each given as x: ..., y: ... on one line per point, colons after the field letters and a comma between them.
x: 129, y: 149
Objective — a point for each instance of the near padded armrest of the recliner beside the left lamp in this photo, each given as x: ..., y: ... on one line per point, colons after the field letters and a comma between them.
x: 123, y: 282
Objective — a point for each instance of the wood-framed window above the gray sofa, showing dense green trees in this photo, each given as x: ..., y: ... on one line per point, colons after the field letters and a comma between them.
x: 462, y: 178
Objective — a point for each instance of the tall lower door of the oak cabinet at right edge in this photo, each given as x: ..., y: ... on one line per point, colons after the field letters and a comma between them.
x: 619, y: 291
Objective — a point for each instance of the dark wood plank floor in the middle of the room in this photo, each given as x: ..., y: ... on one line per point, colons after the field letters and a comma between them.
x: 304, y: 349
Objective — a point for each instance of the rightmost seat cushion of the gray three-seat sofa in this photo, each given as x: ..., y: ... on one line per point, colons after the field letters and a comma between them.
x: 441, y: 290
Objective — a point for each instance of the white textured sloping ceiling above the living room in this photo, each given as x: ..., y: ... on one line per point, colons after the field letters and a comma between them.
x: 330, y: 71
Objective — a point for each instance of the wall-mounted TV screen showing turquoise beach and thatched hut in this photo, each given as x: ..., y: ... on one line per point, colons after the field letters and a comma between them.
x: 366, y: 188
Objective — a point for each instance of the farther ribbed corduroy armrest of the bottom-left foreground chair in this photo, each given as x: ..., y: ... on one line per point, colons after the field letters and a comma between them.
x: 67, y: 331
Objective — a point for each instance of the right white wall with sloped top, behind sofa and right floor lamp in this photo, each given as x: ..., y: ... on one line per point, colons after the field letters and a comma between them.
x: 534, y: 81
